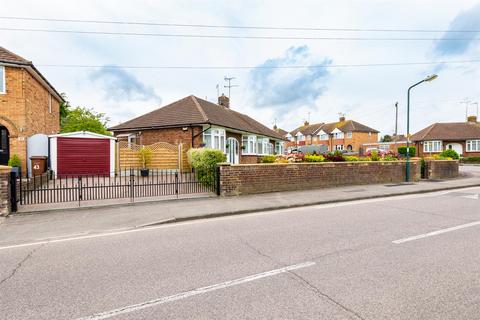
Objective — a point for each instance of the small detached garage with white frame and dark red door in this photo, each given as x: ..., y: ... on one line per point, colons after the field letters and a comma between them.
x: 82, y: 153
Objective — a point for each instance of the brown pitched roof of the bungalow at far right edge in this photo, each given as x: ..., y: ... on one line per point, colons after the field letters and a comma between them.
x: 449, y: 131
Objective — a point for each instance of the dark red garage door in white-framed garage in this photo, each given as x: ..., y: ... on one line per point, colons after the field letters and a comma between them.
x: 83, y: 156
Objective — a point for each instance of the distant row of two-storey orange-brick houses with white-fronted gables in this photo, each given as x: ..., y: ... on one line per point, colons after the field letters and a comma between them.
x: 341, y: 135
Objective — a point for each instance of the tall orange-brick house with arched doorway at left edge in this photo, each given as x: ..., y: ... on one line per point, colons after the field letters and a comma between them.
x: 29, y: 105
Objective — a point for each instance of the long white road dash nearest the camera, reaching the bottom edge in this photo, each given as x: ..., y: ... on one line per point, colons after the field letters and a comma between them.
x: 194, y: 292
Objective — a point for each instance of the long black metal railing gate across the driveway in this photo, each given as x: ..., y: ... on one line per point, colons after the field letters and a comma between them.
x: 127, y: 184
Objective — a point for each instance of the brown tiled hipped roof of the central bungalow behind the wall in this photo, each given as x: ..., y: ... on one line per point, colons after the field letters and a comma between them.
x: 193, y: 110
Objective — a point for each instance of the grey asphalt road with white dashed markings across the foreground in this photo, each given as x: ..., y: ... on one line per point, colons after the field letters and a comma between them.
x: 415, y: 257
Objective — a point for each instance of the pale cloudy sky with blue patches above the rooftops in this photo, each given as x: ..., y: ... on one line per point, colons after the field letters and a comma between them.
x: 266, y: 90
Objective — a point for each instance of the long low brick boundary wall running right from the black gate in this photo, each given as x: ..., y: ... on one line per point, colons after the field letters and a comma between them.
x: 261, y: 178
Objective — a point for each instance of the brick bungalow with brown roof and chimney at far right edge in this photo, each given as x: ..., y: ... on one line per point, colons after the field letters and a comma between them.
x: 463, y: 137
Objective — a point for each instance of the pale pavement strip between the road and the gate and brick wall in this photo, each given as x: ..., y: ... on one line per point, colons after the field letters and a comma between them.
x: 43, y: 225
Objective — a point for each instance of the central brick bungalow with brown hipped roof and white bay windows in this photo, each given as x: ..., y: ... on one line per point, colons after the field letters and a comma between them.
x: 196, y: 122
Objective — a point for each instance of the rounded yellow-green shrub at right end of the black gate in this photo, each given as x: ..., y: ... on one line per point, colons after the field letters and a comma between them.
x: 204, y: 162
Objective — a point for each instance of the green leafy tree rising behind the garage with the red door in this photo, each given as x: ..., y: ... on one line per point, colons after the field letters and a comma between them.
x: 84, y: 119
